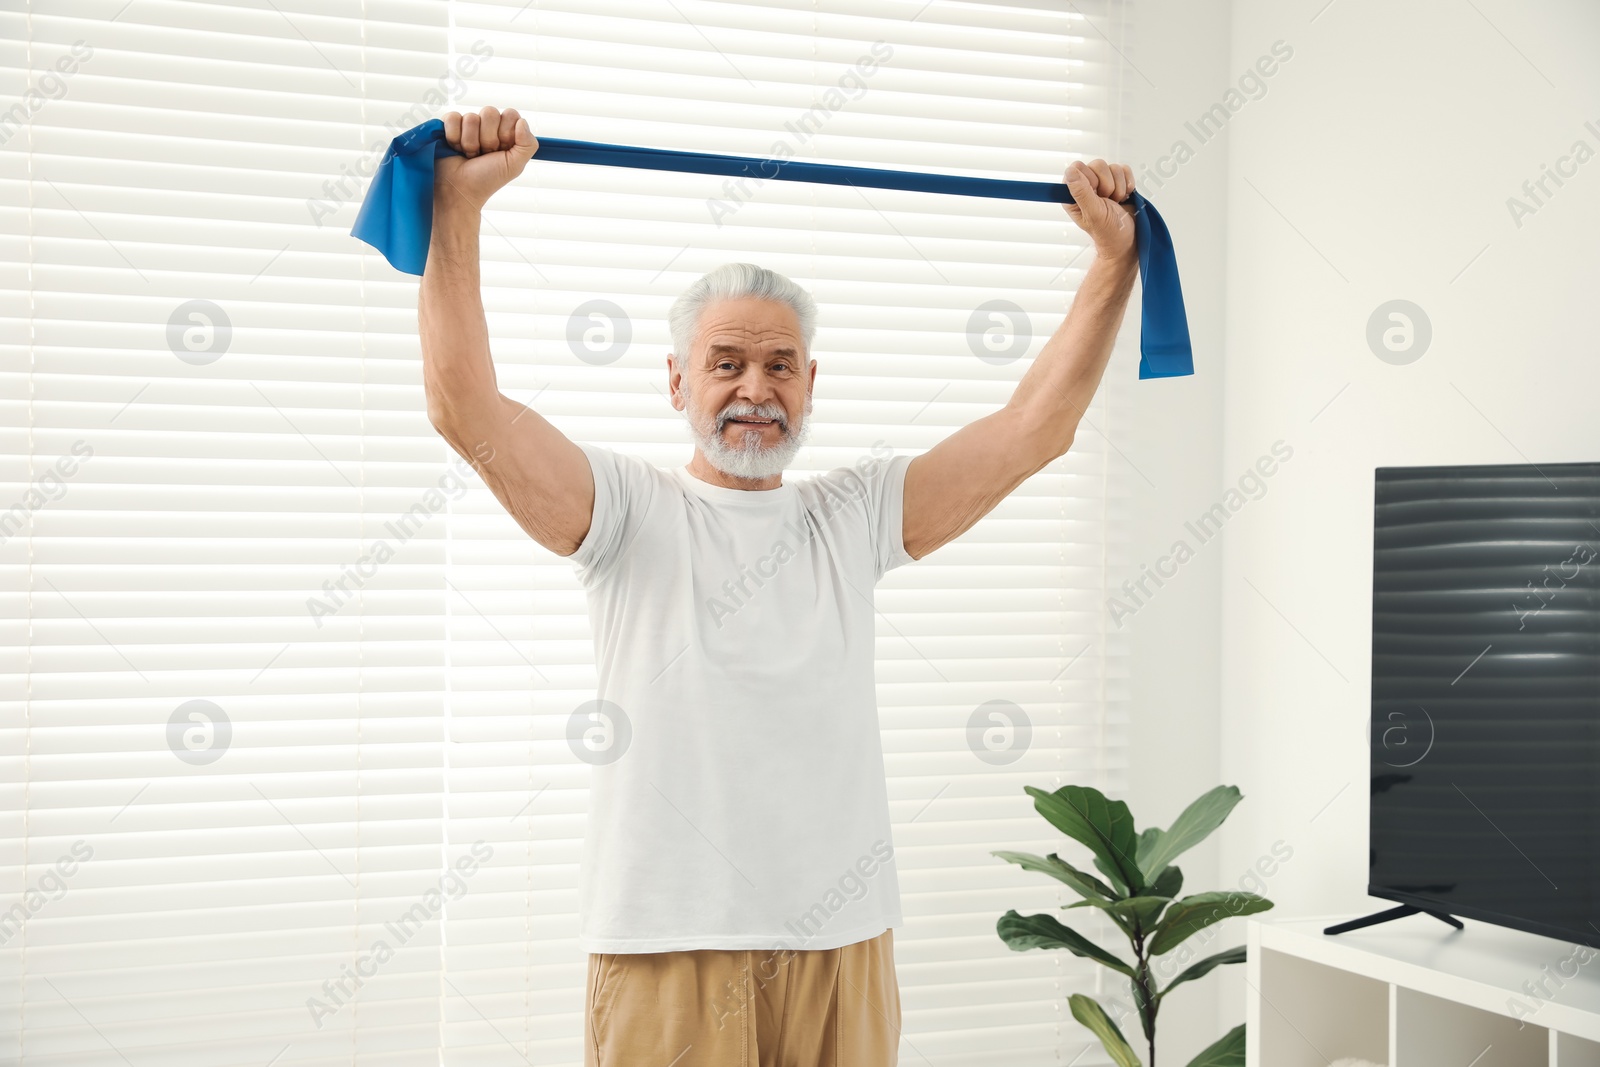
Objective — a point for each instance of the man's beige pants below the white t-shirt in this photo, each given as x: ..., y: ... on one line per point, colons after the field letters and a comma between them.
x: 745, y: 1009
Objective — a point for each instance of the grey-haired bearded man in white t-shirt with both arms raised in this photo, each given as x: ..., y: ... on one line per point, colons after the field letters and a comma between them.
x: 738, y: 889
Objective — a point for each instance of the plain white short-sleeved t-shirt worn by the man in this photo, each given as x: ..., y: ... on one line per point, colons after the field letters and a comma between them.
x: 735, y: 633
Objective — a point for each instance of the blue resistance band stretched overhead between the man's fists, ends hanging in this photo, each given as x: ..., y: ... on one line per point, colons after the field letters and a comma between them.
x: 398, y: 217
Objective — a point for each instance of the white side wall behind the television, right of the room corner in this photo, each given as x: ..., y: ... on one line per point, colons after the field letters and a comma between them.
x: 1378, y: 167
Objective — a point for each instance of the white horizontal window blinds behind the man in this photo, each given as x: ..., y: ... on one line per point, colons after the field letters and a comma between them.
x: 287, y: 693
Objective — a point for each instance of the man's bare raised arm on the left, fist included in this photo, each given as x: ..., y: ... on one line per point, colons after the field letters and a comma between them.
x: 540, y: 476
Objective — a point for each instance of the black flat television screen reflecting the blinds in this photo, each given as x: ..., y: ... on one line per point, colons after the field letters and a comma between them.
x: 1486, y: 725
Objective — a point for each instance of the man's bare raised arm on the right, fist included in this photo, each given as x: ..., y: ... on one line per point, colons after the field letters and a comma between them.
x: 961, y: 479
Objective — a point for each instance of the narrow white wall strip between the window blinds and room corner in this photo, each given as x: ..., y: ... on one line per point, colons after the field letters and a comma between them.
x: 1170, y: 431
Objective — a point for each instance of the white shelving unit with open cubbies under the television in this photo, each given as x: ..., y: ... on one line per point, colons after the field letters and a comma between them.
x: 1417, y: 993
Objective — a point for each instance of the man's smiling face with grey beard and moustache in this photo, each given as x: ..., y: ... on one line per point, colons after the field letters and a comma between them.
x: 746, y: 388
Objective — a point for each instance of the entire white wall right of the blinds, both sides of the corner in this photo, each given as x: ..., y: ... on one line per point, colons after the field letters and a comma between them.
x: 1375, y: 164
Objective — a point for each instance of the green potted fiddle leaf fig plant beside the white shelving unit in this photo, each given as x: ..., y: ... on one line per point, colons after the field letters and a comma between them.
x: 1138, y: 892
